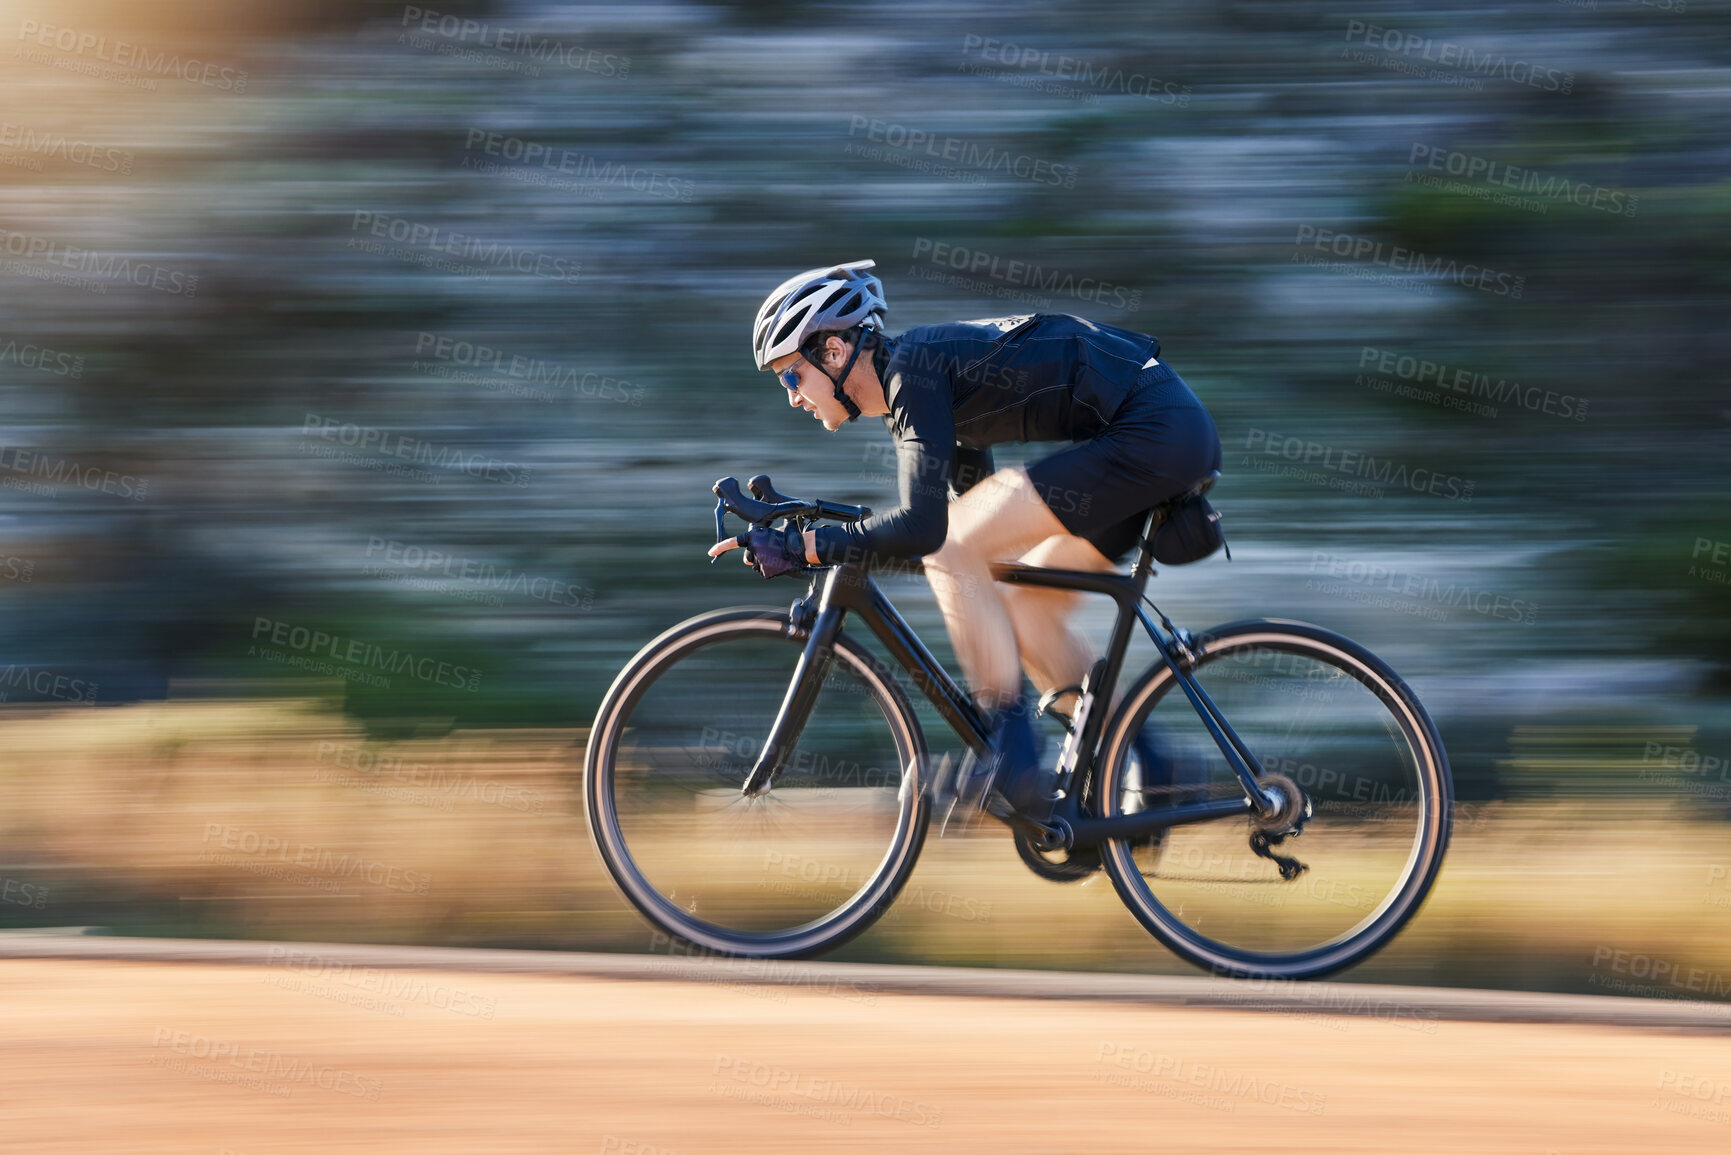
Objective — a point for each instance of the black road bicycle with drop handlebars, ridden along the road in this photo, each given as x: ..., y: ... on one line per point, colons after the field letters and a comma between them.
x: 757, y: 780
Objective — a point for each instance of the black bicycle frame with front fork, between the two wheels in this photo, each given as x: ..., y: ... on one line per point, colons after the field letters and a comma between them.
x: 851, y: 590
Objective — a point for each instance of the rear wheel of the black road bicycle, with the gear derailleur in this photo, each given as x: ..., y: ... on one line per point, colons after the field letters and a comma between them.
x: 1313, y: 709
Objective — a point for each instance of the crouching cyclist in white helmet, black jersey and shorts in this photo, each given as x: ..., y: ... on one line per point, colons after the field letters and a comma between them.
x: 948, y: 394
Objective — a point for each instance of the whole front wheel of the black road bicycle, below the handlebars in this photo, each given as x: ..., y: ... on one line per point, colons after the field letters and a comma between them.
x: 797, y: 870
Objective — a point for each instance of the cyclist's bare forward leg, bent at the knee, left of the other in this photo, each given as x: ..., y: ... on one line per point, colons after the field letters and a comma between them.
x: 998, y: 520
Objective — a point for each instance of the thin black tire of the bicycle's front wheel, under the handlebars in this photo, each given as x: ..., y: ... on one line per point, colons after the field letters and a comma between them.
x: 602, y: 777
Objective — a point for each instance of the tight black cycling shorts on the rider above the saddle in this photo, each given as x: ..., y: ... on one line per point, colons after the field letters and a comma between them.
x: 1157, y: 446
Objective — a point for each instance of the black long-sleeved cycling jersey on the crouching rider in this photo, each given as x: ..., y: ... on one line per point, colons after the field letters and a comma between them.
x: 955, y: 390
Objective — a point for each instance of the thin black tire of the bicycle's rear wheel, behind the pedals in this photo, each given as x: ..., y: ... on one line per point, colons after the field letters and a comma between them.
x: 1432, y: 804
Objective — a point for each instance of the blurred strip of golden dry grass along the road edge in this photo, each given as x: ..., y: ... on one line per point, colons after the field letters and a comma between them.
x: 157, y: 818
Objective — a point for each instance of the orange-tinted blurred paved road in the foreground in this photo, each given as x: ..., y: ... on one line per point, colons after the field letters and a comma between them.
x: 366, y: 1050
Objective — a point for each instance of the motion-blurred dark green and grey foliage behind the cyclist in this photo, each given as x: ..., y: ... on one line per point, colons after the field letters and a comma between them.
x: 364, y: 113
